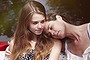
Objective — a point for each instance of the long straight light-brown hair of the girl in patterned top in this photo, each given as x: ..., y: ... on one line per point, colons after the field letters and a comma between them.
x: 23, y: 35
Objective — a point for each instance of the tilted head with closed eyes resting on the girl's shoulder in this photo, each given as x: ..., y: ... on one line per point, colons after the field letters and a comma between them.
x: 55, y: 26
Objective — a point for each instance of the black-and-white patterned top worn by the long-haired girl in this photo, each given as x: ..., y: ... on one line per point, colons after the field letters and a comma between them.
x: 30, y: 56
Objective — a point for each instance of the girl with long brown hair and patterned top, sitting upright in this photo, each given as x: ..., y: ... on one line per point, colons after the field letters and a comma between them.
x: 29, y: 41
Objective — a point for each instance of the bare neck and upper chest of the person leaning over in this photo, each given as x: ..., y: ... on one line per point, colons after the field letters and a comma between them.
x: 78, y: 37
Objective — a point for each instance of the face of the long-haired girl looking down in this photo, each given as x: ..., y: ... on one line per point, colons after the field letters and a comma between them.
x: 37, y: 23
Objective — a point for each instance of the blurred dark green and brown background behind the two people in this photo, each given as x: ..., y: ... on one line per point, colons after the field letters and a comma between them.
x: 76, y: 11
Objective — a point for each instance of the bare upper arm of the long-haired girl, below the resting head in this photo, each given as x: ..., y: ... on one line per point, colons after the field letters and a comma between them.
x: 56, y: 50
